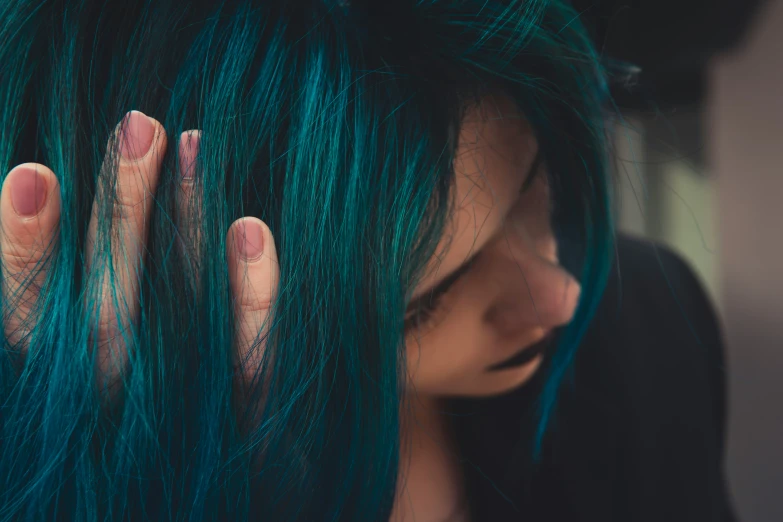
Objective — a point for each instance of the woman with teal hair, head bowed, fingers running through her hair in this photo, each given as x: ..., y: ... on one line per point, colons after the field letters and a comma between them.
x: 337, y: 234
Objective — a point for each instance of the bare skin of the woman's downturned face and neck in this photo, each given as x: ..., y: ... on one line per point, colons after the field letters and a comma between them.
x: 515, y: 292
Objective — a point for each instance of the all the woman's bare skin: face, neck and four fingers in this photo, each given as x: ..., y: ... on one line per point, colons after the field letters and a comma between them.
x: 514, y: 293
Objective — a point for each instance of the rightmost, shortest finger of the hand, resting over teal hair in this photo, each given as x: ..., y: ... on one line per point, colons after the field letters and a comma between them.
x: 255, y: 275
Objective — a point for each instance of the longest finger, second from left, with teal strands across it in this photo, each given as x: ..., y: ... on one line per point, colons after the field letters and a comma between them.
x: 142, y: 143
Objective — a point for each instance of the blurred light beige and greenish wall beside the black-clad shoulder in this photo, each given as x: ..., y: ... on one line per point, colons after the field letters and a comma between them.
x: 722, y: 210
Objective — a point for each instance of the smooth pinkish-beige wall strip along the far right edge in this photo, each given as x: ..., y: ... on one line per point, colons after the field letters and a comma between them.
x: 745, y: 150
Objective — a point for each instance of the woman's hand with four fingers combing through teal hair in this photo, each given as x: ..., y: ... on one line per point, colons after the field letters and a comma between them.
x: 29, y: 230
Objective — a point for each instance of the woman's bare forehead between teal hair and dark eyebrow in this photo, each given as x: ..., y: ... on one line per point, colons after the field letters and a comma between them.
x: 496, y: 148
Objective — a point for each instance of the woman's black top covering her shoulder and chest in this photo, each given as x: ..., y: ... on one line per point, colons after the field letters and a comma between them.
x: 639, y: 437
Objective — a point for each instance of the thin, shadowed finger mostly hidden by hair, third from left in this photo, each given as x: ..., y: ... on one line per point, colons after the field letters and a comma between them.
x: 189, y: 198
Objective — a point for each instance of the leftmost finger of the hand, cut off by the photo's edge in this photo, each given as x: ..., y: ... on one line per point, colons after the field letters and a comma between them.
x: 29, y: 215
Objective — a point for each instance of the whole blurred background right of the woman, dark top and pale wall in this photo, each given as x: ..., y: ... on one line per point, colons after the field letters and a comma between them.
x: 699, y: 167
